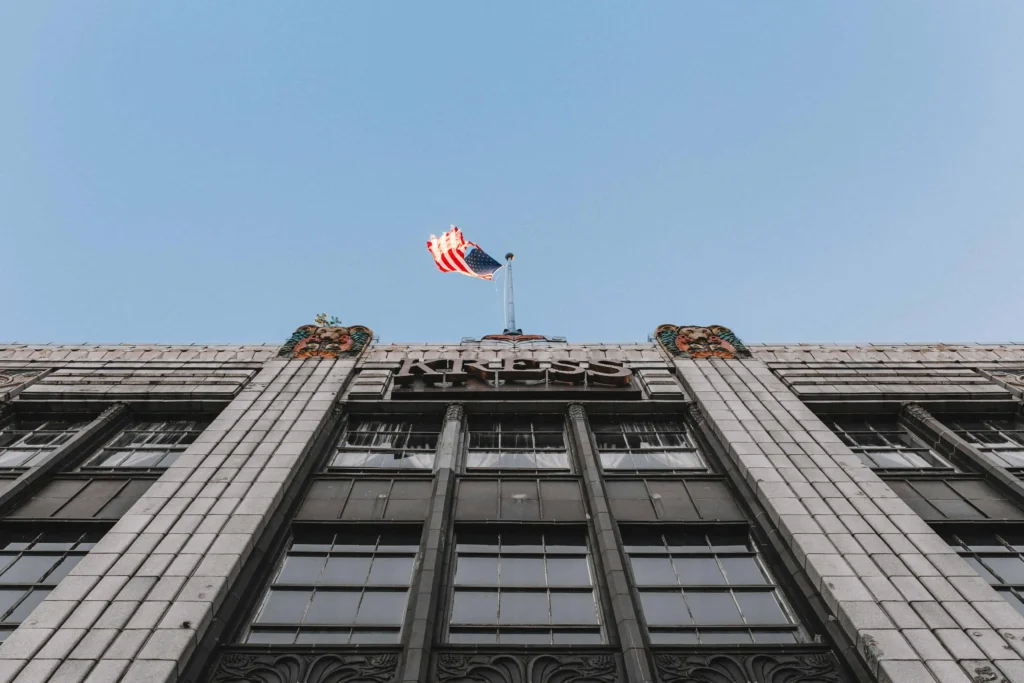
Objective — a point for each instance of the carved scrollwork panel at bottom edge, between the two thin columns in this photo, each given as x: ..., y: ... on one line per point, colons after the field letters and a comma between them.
x: 453, y: 668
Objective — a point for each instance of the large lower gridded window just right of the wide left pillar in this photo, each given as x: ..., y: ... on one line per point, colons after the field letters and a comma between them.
x: 349, y: 587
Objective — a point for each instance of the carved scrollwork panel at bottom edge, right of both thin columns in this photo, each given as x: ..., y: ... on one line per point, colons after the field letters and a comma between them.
x: 745, y: 668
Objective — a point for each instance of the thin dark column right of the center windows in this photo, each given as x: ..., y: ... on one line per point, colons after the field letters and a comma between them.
x: 627, y: 622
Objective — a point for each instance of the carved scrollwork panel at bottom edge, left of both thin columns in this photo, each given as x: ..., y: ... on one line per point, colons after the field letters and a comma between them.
x: 240, y: 668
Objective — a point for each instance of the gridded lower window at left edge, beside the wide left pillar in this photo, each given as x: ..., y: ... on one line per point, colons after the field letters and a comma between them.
x: 32, y: 564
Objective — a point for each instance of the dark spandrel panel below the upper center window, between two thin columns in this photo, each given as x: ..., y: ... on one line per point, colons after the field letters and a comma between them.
x: 520, y: 500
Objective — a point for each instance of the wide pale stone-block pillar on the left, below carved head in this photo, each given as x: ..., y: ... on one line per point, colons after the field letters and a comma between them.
x: 136, y: 608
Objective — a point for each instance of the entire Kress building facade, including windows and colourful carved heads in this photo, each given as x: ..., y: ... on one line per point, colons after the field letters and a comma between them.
x: 513, y: 509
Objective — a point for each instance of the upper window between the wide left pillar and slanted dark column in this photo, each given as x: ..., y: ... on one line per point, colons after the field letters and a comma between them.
x: 148, y: 445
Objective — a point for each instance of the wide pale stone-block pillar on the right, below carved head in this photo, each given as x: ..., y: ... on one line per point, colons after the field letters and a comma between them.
x: 914, y: 610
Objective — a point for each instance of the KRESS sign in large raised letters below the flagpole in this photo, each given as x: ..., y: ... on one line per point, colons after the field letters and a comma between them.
x: 464, y: 375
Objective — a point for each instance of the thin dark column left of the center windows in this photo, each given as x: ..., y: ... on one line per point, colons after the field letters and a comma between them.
x: 421, y: 625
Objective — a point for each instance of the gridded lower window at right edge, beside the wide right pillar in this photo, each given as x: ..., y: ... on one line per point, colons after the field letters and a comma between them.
x: 999, y: 559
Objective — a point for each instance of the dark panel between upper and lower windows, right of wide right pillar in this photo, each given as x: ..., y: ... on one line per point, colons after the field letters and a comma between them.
x: 941, y: 500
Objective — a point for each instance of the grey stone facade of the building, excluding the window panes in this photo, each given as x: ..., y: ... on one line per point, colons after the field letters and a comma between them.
x: 875, y: 589
